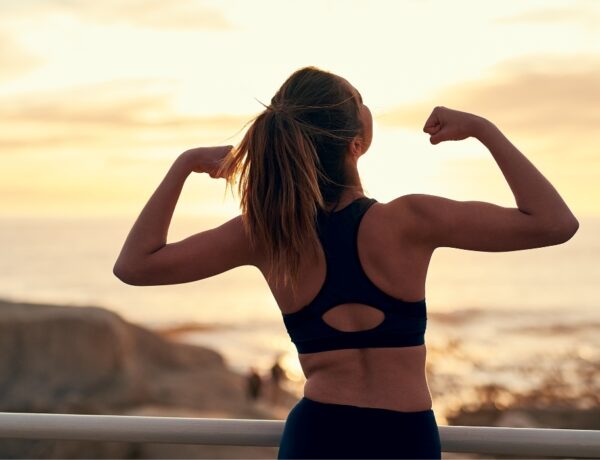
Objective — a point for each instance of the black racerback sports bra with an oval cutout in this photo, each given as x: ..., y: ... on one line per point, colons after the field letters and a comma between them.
x: 346, y: 282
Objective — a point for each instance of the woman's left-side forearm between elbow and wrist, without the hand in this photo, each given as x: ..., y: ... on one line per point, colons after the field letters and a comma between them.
x: 149, y: 233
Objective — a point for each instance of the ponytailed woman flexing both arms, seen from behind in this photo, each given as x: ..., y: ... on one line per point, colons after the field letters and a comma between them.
x: 347, y: 272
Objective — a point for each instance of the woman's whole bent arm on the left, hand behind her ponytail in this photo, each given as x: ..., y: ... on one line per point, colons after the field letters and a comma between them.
x: 146, y: 258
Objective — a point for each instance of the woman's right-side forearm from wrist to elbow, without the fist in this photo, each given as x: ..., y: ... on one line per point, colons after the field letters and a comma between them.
x: 534, y: 194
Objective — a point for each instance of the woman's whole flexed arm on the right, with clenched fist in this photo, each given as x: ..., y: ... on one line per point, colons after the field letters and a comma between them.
x: 541, y: 217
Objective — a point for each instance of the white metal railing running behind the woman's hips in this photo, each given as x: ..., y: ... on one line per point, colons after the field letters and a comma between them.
x: 246, y: 432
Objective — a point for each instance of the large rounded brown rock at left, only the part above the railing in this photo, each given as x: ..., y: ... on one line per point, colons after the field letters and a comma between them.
x: 55, y: 357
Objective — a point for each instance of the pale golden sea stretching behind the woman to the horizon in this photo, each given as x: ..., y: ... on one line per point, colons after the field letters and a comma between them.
x: 509, y: 323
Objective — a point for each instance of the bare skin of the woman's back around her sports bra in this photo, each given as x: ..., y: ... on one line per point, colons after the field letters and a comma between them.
x: 390, y: 378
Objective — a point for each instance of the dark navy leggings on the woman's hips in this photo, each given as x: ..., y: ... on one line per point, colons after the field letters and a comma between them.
x: 321, y: 430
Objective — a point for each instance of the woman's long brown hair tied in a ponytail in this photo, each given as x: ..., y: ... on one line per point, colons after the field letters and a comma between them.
x: 291, y: 164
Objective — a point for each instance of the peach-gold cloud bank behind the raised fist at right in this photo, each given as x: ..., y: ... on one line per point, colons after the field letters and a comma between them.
x: 549, y: 97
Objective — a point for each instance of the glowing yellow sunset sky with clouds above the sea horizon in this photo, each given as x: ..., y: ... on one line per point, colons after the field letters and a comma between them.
x: 97, y: 99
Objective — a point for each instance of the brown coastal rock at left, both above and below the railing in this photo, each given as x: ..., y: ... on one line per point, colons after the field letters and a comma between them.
x: 89, y: 360
